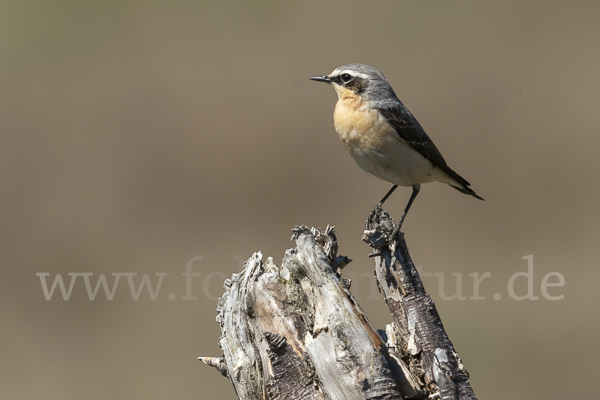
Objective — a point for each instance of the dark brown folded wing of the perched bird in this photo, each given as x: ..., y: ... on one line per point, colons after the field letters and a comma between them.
x: 409, y: 130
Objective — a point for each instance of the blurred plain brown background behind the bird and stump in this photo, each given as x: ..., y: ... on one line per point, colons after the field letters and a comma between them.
x: 142, y: 137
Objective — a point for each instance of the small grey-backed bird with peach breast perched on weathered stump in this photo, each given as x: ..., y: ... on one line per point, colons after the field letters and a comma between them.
x: 383, y: 137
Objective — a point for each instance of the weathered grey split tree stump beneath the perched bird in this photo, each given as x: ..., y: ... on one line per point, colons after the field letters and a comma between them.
x: 295, y: 331
